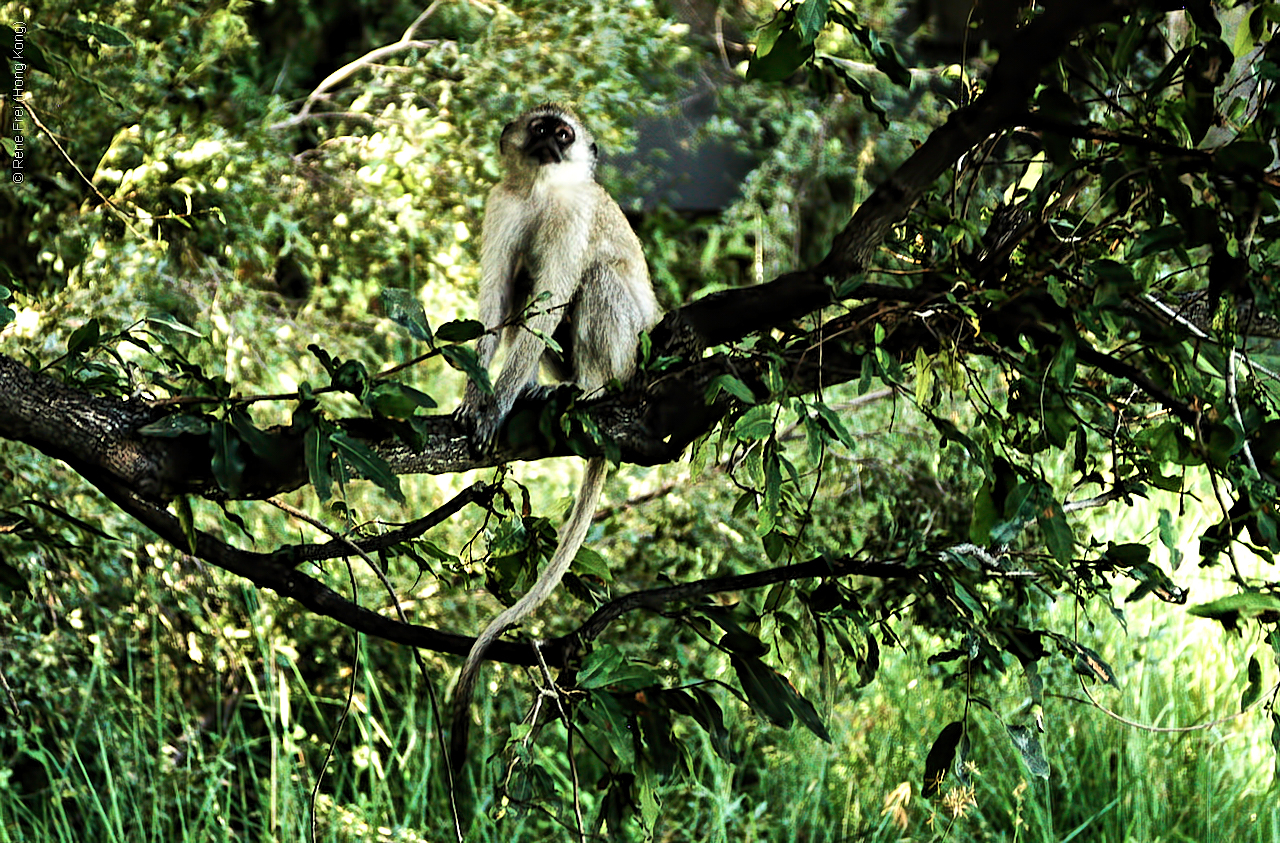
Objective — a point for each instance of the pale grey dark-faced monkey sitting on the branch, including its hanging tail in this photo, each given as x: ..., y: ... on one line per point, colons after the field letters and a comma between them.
x: 550, y: 228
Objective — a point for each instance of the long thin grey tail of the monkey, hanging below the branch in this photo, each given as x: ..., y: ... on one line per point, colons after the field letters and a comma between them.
x: 570, y: 540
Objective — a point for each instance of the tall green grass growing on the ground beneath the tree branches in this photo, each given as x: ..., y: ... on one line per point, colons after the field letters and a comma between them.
x: 122, y: 772
